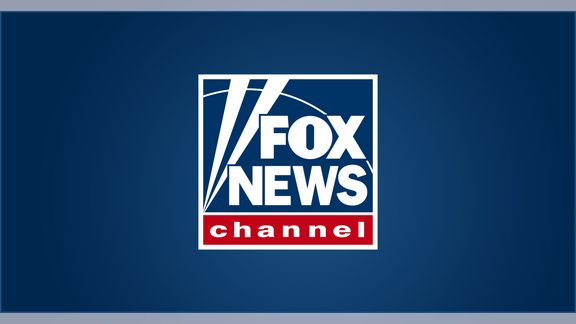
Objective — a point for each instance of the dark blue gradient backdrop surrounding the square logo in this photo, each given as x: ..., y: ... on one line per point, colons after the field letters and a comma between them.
x: 476, y: 162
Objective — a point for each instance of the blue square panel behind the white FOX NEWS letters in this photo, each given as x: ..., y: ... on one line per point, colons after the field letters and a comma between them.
x: 336, y: 98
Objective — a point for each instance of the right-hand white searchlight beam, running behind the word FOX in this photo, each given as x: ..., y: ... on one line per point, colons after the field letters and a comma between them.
x: 270, y: 94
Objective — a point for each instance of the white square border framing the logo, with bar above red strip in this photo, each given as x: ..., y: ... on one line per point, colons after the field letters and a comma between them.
x: 201, y: 212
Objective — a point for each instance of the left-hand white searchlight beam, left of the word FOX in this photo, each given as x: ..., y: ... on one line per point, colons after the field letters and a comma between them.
x: 238, y: 86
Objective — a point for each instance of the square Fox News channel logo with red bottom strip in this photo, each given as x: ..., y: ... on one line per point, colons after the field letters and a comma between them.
x: 287, y: 162
